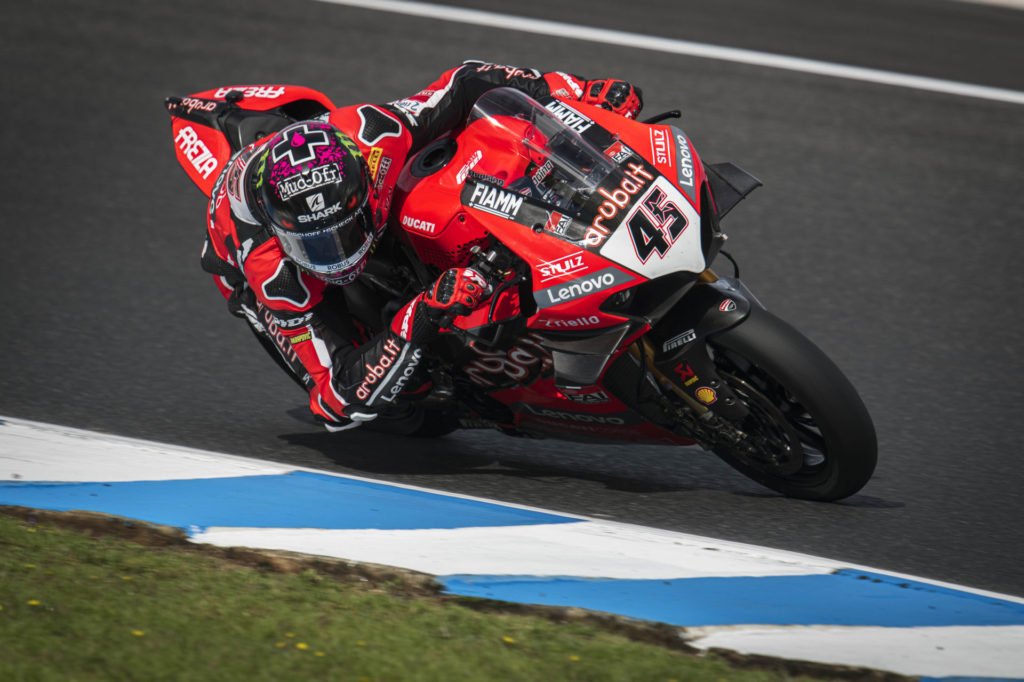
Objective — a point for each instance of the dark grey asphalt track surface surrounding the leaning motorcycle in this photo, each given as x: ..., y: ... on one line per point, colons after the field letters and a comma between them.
x: 889, y: 231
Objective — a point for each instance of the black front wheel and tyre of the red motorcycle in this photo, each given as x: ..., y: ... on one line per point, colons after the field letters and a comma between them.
x: 808, y: 433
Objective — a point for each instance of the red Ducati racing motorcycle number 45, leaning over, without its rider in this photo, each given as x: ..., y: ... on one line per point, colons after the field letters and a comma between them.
x: 605, y: 322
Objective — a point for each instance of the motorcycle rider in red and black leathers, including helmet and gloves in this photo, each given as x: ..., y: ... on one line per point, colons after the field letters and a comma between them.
x: 307, y: 208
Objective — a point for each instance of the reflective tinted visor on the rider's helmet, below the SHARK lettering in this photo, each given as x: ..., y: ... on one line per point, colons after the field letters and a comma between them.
x: 334, y: 250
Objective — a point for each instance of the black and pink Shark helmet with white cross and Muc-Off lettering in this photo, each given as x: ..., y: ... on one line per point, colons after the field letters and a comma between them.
x: 311, y: 183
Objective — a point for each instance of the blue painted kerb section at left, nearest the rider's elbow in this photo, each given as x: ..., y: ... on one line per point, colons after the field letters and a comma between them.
x: 296, y: 500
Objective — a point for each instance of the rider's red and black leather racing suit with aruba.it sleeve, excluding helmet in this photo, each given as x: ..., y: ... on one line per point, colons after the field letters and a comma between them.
x: 350, y: 374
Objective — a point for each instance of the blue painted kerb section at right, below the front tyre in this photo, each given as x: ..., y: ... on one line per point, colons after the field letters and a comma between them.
x: 844, y: 599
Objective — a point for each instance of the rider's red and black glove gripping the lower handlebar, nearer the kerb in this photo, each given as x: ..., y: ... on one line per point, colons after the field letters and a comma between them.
x: 457, y: 291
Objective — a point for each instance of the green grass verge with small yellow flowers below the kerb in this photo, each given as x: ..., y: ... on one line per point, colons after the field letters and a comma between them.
x: 78, y: 608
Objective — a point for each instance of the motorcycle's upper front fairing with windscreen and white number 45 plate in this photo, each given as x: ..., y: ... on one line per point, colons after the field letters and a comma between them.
x: 603, y: 195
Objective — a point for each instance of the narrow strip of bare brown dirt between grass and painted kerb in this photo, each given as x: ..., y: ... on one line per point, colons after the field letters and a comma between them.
x: 405, y: 583
